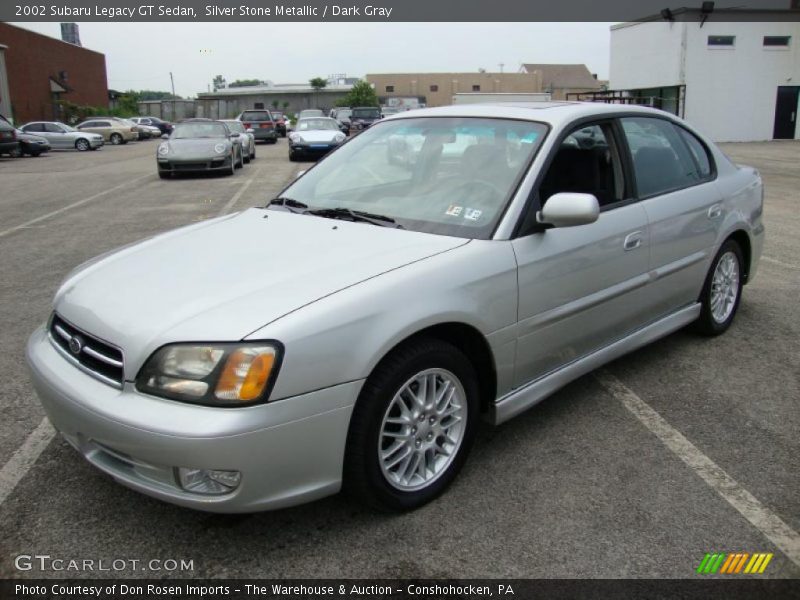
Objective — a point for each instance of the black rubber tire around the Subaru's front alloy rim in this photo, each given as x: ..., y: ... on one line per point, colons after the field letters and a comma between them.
x: 363, y: 476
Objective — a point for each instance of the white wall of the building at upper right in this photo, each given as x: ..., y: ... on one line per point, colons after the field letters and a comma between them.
x: 730, y: 91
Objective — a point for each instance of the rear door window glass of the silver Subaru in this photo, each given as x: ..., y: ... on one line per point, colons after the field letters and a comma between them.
x: 661, y: 161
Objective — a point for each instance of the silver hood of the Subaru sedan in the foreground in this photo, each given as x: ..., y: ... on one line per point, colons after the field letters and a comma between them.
x: 223, y: 279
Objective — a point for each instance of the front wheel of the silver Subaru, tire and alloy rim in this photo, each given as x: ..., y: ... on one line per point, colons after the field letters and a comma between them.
x: 412, y: 426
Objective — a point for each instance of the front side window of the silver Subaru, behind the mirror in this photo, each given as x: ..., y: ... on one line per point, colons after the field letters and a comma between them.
x: 586, y: 162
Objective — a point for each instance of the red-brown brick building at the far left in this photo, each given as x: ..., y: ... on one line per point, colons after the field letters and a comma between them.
x: 41, y: 70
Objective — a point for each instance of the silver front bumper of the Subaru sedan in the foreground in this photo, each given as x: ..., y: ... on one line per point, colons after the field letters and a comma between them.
x: 288, y: 452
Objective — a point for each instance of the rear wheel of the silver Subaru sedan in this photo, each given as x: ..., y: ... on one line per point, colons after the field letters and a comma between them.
x: 722, y: 291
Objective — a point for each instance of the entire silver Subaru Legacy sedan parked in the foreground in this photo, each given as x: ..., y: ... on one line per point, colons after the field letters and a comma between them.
x: 515, y: 248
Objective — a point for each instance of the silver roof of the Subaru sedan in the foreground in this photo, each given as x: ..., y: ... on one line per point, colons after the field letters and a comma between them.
x: 554, y: 113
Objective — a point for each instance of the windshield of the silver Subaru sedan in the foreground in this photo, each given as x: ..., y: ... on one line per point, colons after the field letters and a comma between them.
x: 450, y: 176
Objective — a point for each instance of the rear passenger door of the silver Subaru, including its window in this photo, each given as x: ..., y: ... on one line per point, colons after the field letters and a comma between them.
x: 675, y: 175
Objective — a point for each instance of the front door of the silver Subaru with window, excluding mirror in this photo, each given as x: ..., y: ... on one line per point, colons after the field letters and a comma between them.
x: 580, y: 288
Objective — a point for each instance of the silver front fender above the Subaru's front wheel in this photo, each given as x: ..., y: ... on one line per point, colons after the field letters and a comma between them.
x: 343, y: 336
